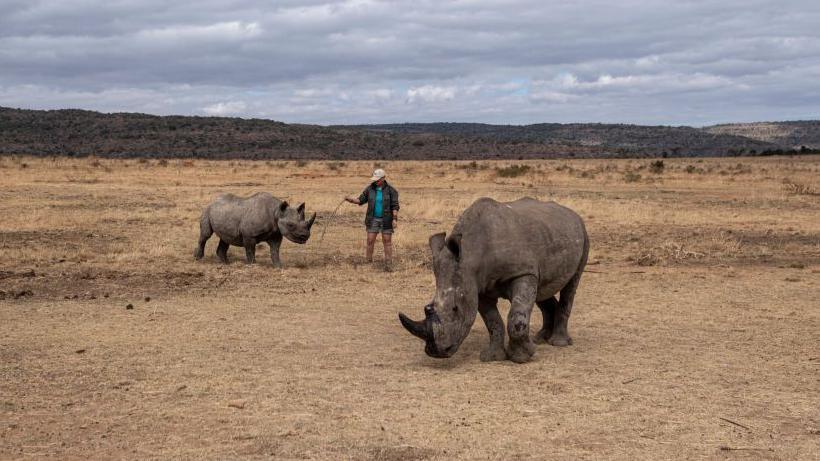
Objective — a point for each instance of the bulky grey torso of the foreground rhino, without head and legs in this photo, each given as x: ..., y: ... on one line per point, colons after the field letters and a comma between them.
x: 503, y: 241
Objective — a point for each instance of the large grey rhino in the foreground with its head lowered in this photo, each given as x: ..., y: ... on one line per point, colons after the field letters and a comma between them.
x: 525, y: 251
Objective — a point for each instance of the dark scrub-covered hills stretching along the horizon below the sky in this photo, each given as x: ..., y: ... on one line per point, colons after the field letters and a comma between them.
x: 81, y: 133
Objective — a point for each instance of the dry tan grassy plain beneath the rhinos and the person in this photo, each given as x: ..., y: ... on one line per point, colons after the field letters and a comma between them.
x: 696, y: 327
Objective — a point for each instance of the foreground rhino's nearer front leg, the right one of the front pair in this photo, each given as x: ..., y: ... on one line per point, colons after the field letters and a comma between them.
x: 522, y: 298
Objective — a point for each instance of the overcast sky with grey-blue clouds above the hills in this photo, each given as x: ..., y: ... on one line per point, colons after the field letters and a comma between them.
x: 513, y: 61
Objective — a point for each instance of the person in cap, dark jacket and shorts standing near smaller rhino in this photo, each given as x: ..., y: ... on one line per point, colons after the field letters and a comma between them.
x: 382, y: 214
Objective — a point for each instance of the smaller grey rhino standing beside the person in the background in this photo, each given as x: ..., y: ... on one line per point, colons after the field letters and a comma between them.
x: 244, y: 222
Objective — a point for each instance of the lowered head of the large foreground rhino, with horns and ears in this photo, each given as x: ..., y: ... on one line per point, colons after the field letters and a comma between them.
x: 450, y: 315
